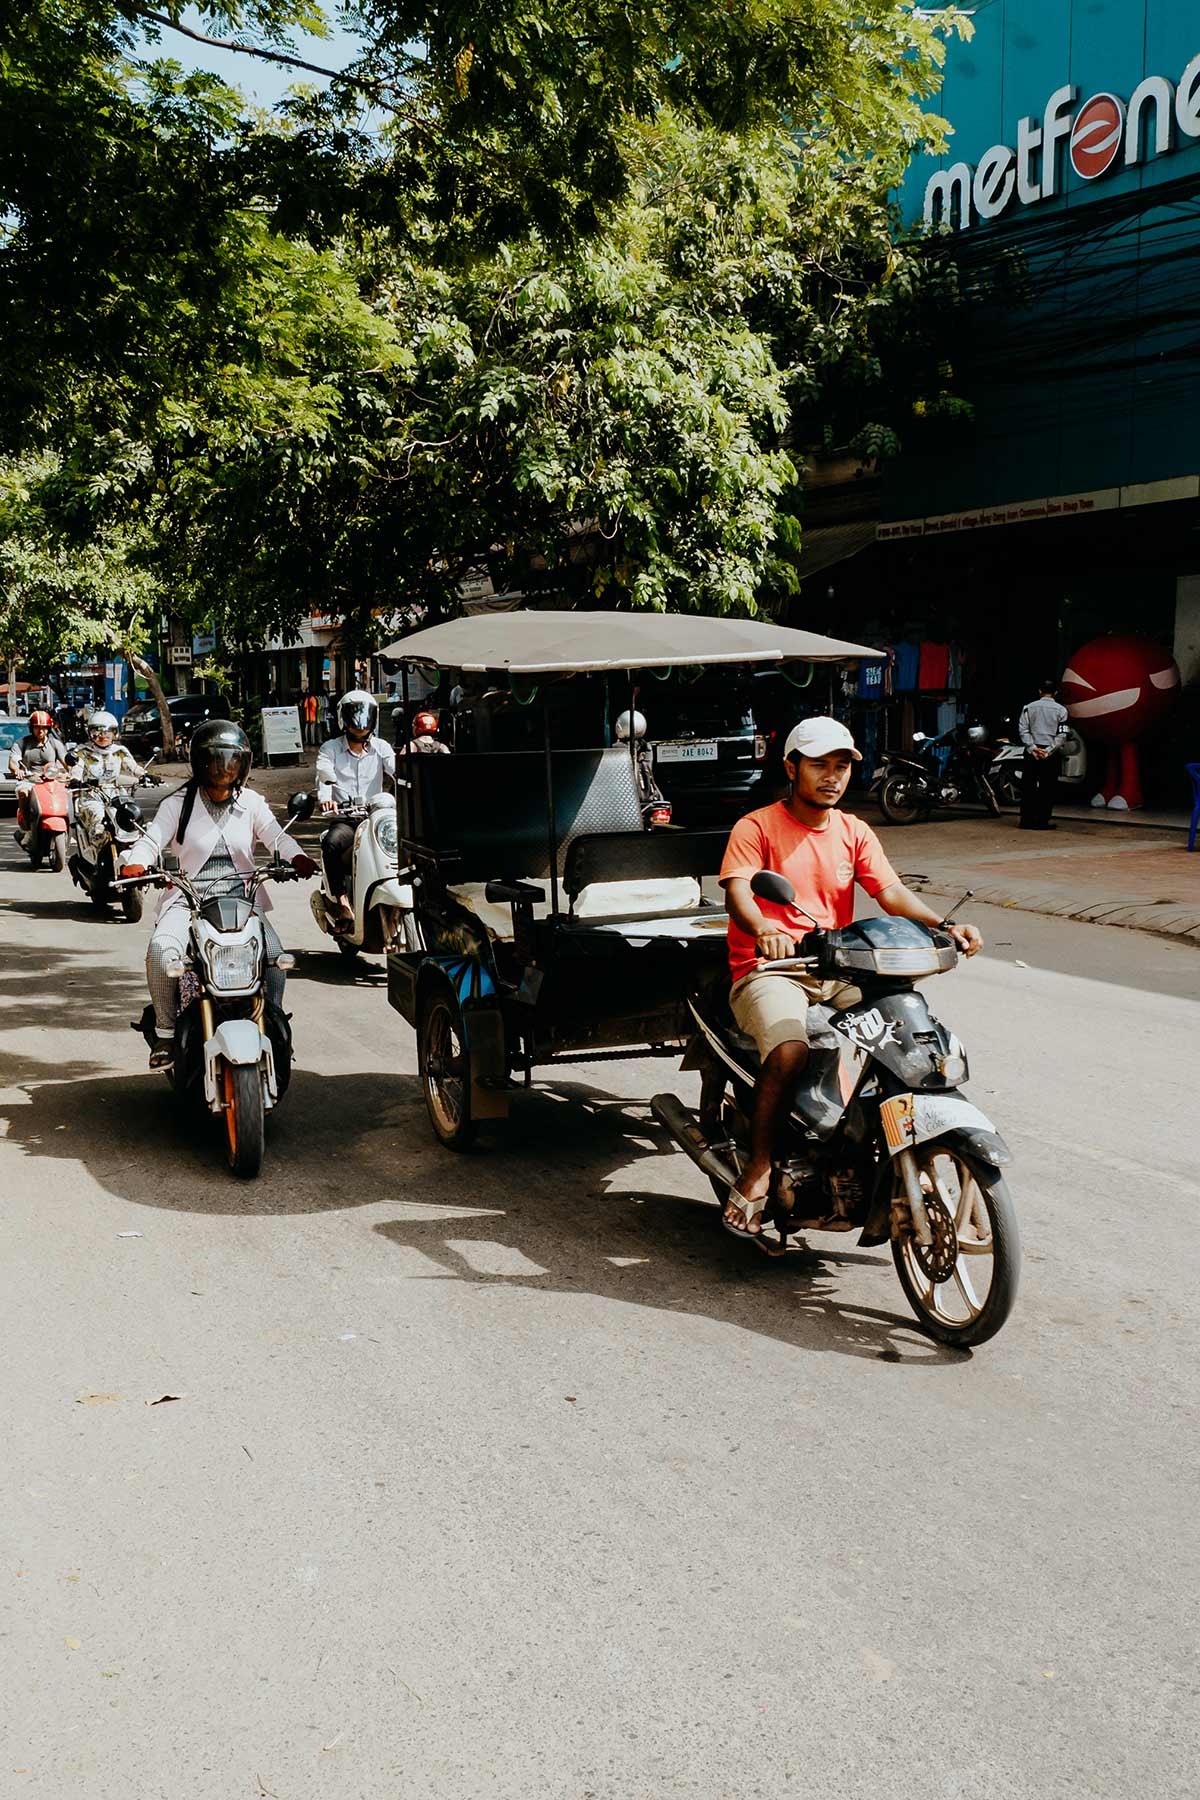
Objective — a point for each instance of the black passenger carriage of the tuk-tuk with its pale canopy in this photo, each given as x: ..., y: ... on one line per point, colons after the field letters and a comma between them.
x: 551, y: 924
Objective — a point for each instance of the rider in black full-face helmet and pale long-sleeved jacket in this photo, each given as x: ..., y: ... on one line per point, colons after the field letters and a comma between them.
x: 215, y: 825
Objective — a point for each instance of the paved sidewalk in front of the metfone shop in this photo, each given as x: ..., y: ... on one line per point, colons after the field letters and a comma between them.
x: 1098, y: 870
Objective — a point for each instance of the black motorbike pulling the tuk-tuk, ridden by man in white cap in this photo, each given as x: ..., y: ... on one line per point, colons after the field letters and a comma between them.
x: 881, y: 1138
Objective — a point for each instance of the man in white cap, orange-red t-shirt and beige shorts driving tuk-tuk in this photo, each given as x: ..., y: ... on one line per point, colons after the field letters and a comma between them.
x: 823, y: 852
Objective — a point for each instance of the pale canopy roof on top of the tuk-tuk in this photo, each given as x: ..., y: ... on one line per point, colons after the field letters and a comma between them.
x: 577, y: 643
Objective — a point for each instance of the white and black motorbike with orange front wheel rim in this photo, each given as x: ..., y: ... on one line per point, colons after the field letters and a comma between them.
x: 233, y: 1047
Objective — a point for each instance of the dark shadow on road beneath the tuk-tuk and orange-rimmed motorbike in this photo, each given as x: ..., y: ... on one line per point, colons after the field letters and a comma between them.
x: 562, y: 1203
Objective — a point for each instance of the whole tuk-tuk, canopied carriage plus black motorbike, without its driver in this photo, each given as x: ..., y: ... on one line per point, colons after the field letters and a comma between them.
x: 553, y: 928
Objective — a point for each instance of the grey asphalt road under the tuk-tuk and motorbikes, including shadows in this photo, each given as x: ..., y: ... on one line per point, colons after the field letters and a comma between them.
x: 514, y: 1477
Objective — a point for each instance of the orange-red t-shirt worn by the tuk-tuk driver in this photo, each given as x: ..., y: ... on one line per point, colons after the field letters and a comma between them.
x: 823, y: 863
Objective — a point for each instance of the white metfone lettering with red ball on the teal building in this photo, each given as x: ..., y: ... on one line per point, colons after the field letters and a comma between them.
x: 1100, y: 136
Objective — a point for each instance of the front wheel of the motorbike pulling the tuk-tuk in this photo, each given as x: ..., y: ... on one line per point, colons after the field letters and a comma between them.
x: 965, y: 1282
